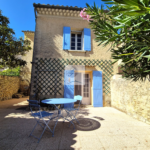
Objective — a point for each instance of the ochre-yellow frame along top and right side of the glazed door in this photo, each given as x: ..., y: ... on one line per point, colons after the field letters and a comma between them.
x: 91, y: 83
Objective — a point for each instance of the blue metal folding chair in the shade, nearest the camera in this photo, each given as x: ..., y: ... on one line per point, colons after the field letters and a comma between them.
x: 39, y: 117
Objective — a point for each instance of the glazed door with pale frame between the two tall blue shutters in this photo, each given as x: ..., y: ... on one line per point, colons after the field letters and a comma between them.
x: 82, y: 86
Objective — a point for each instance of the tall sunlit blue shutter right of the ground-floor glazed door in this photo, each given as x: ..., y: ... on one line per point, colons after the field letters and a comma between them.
x: 97, y: 89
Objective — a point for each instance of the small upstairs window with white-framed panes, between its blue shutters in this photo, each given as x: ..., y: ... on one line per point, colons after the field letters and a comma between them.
x: 76, y: 41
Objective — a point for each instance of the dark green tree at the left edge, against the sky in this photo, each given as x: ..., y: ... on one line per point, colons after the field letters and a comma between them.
x: 10, y: 47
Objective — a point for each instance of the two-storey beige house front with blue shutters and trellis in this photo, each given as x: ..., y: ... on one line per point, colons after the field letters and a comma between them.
x: 66, y: 54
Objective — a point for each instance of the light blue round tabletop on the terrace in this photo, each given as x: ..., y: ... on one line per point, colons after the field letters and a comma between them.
x: 55, y: 101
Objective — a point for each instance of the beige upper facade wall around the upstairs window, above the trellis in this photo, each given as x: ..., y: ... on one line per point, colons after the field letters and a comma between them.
x: 49, y: 39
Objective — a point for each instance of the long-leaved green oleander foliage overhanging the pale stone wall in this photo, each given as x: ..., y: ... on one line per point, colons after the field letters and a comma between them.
x: 125, y: 26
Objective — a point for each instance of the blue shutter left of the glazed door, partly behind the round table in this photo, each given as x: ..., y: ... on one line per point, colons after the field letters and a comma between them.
x: 69, y: 86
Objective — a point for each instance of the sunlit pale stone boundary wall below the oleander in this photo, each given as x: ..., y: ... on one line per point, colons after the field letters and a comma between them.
x: 132, y: 98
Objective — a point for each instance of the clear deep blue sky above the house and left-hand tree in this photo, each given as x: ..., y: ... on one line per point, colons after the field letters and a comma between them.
x: 21, y: 12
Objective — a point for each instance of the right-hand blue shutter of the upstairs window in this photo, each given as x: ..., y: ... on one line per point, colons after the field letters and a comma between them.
x: 87, y: 39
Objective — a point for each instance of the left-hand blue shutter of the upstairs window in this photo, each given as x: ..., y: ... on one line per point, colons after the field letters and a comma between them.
x: 66, y: 38
